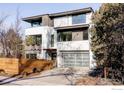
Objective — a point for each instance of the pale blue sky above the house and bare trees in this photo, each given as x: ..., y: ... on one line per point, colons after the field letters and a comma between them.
x: 28, y: 9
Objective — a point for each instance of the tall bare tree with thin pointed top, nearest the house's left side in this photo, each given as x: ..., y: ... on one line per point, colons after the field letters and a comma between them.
x: 14, y: 37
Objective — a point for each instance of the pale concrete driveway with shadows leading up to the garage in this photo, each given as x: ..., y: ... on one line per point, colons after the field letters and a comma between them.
x: 57, y: 76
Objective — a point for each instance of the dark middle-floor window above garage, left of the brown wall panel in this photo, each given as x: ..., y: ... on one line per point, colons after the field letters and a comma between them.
x: 65, y: 36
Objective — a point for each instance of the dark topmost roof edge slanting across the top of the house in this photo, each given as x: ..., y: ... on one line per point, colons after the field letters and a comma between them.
x: 53, y: 15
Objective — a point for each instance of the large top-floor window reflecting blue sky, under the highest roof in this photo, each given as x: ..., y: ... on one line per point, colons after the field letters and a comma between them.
x: 80, y: 18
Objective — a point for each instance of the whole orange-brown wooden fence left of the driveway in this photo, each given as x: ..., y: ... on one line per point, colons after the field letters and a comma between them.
x: 13, y: 66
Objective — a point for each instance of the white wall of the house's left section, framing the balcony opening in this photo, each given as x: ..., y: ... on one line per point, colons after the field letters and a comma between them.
x: 46, y: 33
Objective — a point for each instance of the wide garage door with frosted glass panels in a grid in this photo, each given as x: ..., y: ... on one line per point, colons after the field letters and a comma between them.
x: 75, y: 59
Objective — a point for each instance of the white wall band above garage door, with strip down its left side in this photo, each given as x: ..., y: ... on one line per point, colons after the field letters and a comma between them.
x: 71, y: 46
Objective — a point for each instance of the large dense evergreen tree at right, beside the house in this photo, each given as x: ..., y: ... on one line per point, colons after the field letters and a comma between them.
x: 107, y: 35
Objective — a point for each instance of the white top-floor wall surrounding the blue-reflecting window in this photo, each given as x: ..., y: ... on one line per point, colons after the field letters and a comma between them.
x: 67, y: 20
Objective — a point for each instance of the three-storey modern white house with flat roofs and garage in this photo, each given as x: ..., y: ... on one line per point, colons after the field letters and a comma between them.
x: 61, y: 36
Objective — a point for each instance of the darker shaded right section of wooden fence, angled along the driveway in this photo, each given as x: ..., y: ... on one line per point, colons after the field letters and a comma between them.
x: 35, y: 66
